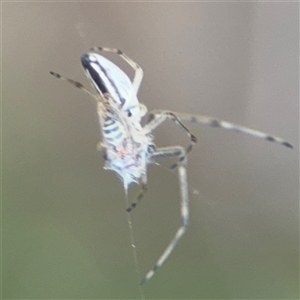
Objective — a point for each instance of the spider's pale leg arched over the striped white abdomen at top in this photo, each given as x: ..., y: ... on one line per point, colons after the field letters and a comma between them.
x: 138, y: 76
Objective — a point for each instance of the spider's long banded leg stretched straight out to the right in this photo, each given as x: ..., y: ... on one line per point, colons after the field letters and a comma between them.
x: 215, y: 122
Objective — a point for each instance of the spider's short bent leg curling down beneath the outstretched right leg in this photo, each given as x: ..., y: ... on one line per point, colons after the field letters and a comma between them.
x: 156, y: 118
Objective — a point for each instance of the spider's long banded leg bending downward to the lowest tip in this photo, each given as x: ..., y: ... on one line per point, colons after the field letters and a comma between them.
x: 182, y: 175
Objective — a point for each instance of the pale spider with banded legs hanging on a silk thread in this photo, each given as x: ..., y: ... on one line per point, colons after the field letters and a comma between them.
x: 128, y: 146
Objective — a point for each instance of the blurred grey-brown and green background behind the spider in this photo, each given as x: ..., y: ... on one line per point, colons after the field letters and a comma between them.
x: 65, y: 230
